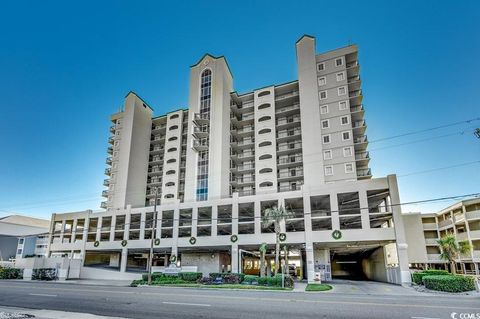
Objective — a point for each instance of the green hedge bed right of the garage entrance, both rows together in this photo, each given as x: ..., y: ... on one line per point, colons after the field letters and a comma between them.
x: 441, y: 280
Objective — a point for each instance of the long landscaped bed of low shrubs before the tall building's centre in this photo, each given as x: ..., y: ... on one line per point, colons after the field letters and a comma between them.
x: 217, y: 280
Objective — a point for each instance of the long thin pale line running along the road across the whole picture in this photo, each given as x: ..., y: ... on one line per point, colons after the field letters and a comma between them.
x: 249, y: 298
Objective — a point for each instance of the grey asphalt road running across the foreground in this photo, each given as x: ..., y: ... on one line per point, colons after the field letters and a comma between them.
x: 217, y: 303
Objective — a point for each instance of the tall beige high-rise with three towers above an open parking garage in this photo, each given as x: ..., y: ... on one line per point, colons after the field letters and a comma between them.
x: 213, y: 169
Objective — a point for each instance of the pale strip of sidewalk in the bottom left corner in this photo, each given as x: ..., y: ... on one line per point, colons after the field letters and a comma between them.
x: 17, y: 313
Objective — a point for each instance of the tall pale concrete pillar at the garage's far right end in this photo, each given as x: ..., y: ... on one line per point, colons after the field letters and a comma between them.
x: 401, y: 241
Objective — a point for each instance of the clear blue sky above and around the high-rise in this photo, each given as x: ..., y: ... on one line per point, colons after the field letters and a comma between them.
x: 66, y: 66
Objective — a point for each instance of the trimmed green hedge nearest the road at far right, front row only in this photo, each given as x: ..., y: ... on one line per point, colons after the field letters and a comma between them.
x: 449, y: 283
